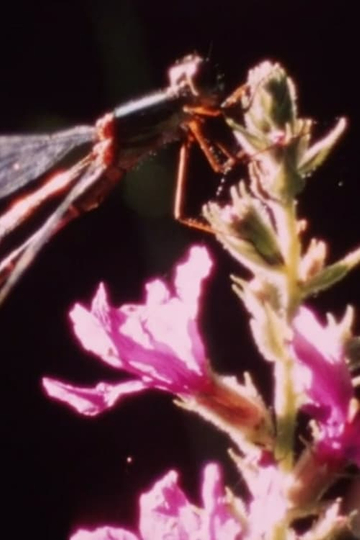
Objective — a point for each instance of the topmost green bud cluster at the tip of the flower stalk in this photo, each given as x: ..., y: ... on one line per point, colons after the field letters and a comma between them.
x: 276, y: 140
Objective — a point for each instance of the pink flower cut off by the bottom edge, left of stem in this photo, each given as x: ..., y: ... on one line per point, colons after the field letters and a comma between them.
x: 166, y: 513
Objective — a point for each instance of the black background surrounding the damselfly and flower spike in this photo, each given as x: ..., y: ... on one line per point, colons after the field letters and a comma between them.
x: 65, y: 63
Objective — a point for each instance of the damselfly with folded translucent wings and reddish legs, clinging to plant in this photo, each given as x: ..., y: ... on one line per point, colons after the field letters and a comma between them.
x: 119, y: 140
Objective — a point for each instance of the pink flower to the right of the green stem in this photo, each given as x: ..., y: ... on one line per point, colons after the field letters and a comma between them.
x: 328, y: 387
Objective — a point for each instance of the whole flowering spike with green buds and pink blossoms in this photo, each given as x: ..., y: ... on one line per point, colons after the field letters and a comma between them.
x: 158, y: 345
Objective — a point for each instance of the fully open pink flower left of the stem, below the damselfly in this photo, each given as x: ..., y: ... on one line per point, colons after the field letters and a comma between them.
x: 157, y: 342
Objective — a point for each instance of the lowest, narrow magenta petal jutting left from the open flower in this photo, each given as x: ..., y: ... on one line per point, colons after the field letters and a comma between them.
x: 91, y: 401
